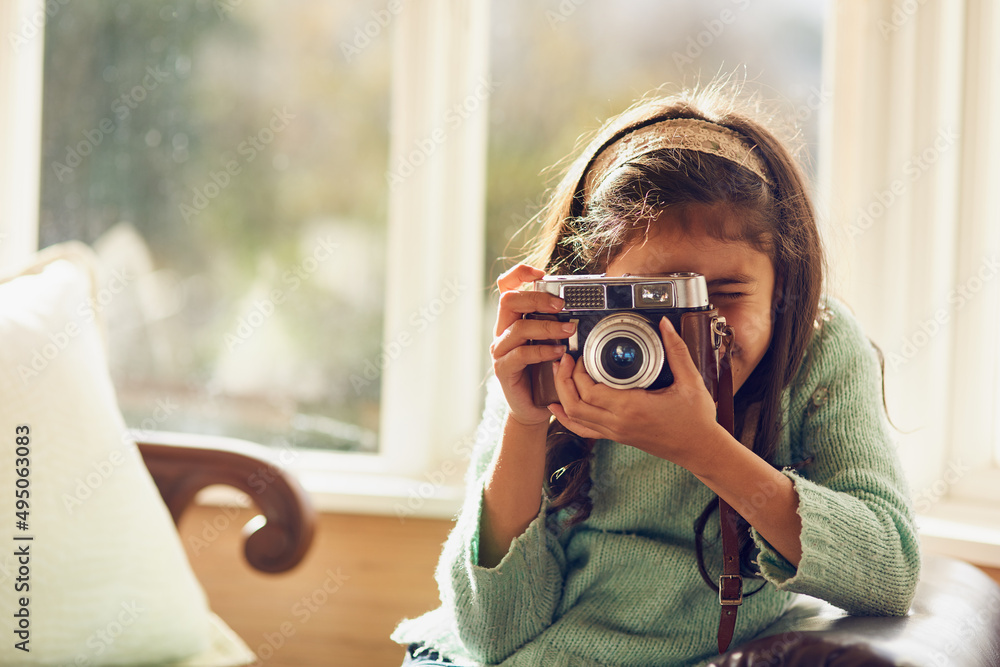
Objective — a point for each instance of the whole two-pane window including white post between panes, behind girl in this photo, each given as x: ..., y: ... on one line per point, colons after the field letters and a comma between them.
x: 384, y: 342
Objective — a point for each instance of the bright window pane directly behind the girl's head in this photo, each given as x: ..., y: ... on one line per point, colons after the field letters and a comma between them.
x: 561, y: 67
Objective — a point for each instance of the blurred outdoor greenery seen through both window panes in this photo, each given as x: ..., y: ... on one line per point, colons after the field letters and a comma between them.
x: 229, y: 158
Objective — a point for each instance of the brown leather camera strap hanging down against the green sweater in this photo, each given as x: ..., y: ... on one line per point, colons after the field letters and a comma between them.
x: 730, y: 583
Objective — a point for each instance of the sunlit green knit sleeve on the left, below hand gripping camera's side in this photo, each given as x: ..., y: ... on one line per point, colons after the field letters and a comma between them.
x: 498, y: 609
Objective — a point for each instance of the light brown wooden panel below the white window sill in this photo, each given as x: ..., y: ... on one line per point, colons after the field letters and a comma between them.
x: 379, y: 569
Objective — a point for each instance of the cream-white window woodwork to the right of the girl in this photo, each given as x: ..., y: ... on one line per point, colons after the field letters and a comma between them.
x: 911, y: 181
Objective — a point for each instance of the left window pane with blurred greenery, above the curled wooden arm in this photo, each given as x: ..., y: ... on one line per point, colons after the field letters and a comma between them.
x: 226, y: 159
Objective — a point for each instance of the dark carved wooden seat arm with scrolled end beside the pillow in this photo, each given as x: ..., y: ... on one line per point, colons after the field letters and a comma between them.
x: 183, y: 464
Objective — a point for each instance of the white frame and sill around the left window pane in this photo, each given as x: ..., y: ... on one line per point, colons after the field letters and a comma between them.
x: 431, y: 390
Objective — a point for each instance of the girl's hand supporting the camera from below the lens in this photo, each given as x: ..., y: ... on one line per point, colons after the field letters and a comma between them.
x: 676, y: 423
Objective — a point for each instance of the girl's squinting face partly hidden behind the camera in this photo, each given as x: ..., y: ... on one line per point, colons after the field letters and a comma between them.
x: 740, y: 277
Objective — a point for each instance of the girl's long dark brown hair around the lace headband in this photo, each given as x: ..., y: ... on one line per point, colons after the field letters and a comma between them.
x: 579, y: 237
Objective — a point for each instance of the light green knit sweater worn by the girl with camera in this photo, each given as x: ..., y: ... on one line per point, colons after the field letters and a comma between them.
x: 622, y: 587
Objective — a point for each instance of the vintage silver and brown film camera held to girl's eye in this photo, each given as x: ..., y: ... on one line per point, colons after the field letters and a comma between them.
x: 617, y: 334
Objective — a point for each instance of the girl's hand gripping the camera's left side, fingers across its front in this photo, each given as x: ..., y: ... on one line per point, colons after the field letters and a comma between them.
x: 511, y: 355
